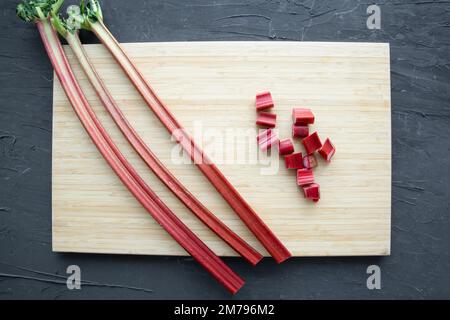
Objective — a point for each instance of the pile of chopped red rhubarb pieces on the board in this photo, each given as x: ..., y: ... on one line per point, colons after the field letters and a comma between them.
x: 302, y: 118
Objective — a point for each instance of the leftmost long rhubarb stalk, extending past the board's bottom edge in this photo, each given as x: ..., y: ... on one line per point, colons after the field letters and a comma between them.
x: 29, y: 11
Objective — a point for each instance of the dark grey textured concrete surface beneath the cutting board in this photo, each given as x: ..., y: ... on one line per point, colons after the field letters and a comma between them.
x: 419, y: 34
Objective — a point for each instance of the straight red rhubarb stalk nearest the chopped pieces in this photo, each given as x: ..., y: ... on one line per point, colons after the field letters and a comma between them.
x: 267, y: 238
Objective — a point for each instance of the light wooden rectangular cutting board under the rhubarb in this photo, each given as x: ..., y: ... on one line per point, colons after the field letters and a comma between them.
x: 211, y: 87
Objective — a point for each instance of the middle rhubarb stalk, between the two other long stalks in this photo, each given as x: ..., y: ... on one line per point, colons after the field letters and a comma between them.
x: 207, y: 217
